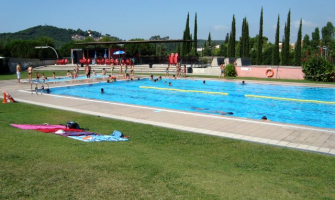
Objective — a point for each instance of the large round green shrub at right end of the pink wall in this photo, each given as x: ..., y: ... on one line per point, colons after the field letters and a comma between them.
x: 317, y: 68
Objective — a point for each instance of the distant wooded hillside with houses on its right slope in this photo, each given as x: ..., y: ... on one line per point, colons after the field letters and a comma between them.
x: 60, y: 35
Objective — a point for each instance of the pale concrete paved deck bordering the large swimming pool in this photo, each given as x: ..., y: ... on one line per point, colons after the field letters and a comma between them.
x: 306, y: 138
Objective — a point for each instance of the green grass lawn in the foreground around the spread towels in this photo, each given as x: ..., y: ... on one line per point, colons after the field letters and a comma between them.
x: 156, y: 163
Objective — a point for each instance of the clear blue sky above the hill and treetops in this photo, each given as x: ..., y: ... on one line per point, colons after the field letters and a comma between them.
x: 129, y: 19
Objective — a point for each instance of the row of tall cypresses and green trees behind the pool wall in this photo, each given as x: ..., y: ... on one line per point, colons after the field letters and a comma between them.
x: 260, y: 50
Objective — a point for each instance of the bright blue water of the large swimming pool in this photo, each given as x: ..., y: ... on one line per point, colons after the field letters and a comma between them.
x: 199, y: 100
